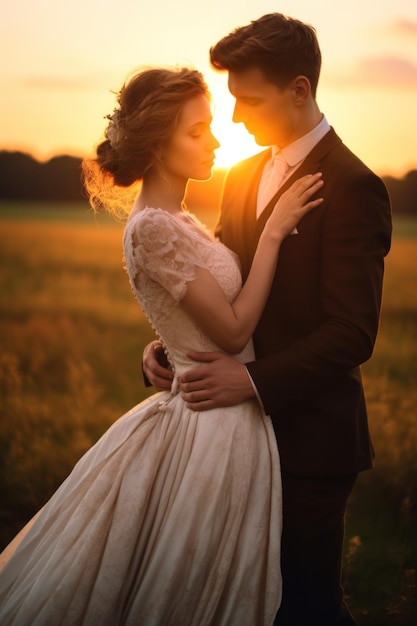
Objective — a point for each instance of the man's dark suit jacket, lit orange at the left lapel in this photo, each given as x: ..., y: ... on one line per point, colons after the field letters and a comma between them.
x: 321, y: 319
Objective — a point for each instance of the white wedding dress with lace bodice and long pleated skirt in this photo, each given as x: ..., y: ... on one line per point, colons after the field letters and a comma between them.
x: 174, y: 517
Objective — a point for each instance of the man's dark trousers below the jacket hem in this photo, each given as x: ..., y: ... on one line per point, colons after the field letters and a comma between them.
x: 312, y: 542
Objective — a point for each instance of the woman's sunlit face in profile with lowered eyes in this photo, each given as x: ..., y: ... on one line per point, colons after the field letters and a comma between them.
x: 190, y: 152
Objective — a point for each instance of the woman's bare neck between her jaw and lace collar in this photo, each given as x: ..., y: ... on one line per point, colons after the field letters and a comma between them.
x: 160, y: 192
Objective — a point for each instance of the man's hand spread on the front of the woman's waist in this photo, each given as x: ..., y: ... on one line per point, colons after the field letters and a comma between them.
x: 220, y: 381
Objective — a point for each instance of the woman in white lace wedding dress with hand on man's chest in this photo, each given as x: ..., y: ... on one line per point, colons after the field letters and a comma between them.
x: 173, y: 517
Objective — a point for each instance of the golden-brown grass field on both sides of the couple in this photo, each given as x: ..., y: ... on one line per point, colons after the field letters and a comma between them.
x: 71, y: 339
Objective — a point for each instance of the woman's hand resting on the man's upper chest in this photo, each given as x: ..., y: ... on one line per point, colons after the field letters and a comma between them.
x: 293, y: 205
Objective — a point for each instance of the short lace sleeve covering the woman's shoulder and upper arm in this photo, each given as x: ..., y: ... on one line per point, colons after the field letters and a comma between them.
x: 165, y: 251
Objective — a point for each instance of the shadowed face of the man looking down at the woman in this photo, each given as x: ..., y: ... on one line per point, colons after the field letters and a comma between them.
x: 267, y: 111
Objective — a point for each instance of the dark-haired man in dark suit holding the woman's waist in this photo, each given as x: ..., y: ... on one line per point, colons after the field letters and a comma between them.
x: 321, y: 319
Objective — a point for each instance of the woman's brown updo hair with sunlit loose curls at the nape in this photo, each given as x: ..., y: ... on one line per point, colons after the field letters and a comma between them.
x: 148, y: 111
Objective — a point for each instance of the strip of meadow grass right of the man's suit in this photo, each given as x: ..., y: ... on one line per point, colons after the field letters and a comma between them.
x: 381, y: 543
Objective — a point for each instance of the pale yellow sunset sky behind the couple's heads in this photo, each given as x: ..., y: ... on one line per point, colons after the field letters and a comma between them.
x: 61, y: 61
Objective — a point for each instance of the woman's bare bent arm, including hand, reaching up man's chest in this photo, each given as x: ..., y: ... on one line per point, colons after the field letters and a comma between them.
x: 230, y: 325
